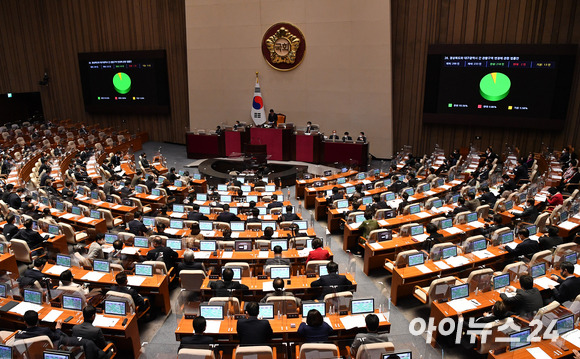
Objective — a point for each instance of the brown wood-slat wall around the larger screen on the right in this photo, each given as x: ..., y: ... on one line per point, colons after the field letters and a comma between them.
x: 418, y: 23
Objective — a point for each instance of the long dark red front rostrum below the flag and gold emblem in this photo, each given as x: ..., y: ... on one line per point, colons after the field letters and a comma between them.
x: 282, y: 145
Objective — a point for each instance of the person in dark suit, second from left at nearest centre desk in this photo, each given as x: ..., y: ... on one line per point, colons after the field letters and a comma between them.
x: 251, y: 330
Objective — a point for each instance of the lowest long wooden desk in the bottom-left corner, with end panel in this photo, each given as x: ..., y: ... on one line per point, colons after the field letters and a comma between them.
x: 126, y: 338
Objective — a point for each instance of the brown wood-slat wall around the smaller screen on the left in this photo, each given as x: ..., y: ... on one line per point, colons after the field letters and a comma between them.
x: 39, y: 35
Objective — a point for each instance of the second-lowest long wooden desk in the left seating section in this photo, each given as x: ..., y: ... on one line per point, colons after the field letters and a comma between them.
x: 156, y: 286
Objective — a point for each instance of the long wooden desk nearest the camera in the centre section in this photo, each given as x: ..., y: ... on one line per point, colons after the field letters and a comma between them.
x: 285, y: 329
